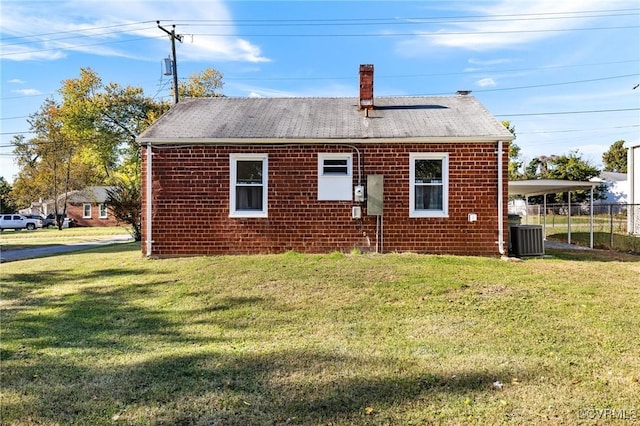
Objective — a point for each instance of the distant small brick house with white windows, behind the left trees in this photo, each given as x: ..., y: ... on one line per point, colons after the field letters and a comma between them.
x: 86, y: 207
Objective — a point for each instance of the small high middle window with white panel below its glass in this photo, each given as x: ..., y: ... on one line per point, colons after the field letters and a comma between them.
x: 335, y: 176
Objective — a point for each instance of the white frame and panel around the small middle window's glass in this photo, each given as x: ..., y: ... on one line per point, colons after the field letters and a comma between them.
x: 335, y: 186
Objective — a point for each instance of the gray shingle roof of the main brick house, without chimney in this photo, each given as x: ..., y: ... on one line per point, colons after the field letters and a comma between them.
x: 286, y: 119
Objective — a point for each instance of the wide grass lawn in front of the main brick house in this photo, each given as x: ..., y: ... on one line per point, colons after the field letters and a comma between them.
x: 106, y: 337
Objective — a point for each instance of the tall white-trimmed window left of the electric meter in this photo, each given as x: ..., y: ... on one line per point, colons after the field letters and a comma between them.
x: 248, y: 185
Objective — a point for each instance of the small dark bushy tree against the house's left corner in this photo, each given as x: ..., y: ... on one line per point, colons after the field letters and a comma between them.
x: 124, y: 201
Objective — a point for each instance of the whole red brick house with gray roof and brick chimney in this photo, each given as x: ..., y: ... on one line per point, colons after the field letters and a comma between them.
x: 255, y: 175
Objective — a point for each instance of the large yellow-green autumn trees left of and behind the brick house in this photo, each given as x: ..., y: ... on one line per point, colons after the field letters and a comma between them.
x: 88, y: 138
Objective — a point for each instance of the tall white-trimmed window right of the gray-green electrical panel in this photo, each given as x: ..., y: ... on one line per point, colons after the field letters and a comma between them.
x: 429, y: 185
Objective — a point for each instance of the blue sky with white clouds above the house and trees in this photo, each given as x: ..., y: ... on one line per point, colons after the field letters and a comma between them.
x: 562, y: 72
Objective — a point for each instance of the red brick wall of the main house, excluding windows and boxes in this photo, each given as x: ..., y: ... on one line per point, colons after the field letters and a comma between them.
x: 191, y: 202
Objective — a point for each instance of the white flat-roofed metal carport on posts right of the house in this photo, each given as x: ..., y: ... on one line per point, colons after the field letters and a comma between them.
x: 528, y: 188
